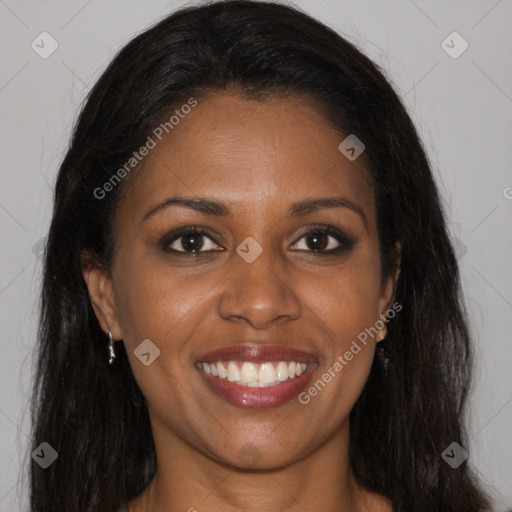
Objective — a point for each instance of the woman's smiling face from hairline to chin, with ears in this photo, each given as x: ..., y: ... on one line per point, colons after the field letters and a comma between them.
x: 285, y: 270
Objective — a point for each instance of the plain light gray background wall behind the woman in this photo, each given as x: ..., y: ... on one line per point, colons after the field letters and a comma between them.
x: 462, y: 107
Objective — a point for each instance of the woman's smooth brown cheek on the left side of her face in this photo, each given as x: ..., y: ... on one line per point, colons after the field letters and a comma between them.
x: 156, y: 303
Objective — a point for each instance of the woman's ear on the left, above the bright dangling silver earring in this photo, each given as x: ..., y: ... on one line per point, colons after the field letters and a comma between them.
x: 101, y: 295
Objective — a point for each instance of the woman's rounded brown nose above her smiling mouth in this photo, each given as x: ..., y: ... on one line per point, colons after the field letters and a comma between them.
x: 259, y: 293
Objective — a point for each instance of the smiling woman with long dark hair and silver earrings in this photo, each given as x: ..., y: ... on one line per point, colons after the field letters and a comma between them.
x: 250, y: 300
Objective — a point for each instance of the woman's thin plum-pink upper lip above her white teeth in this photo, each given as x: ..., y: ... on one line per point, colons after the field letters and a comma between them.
x: 258, y: 354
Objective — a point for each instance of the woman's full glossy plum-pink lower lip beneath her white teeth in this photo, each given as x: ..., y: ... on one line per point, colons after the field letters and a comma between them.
x: 256, y: 398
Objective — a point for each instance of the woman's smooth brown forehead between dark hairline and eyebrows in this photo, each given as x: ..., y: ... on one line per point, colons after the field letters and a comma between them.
x: 251, y: 154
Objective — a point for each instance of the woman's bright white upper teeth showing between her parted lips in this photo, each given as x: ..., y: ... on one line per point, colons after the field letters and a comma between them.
x: 252, y: 374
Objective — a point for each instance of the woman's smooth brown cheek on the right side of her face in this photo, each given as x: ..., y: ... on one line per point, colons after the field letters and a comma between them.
x: 344, y: 308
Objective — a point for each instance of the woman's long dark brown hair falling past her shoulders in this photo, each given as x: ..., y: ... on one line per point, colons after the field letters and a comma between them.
x: 413, y: 404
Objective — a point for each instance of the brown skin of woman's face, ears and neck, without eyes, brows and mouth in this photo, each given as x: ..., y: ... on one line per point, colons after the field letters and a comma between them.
x: 258, y: 158
